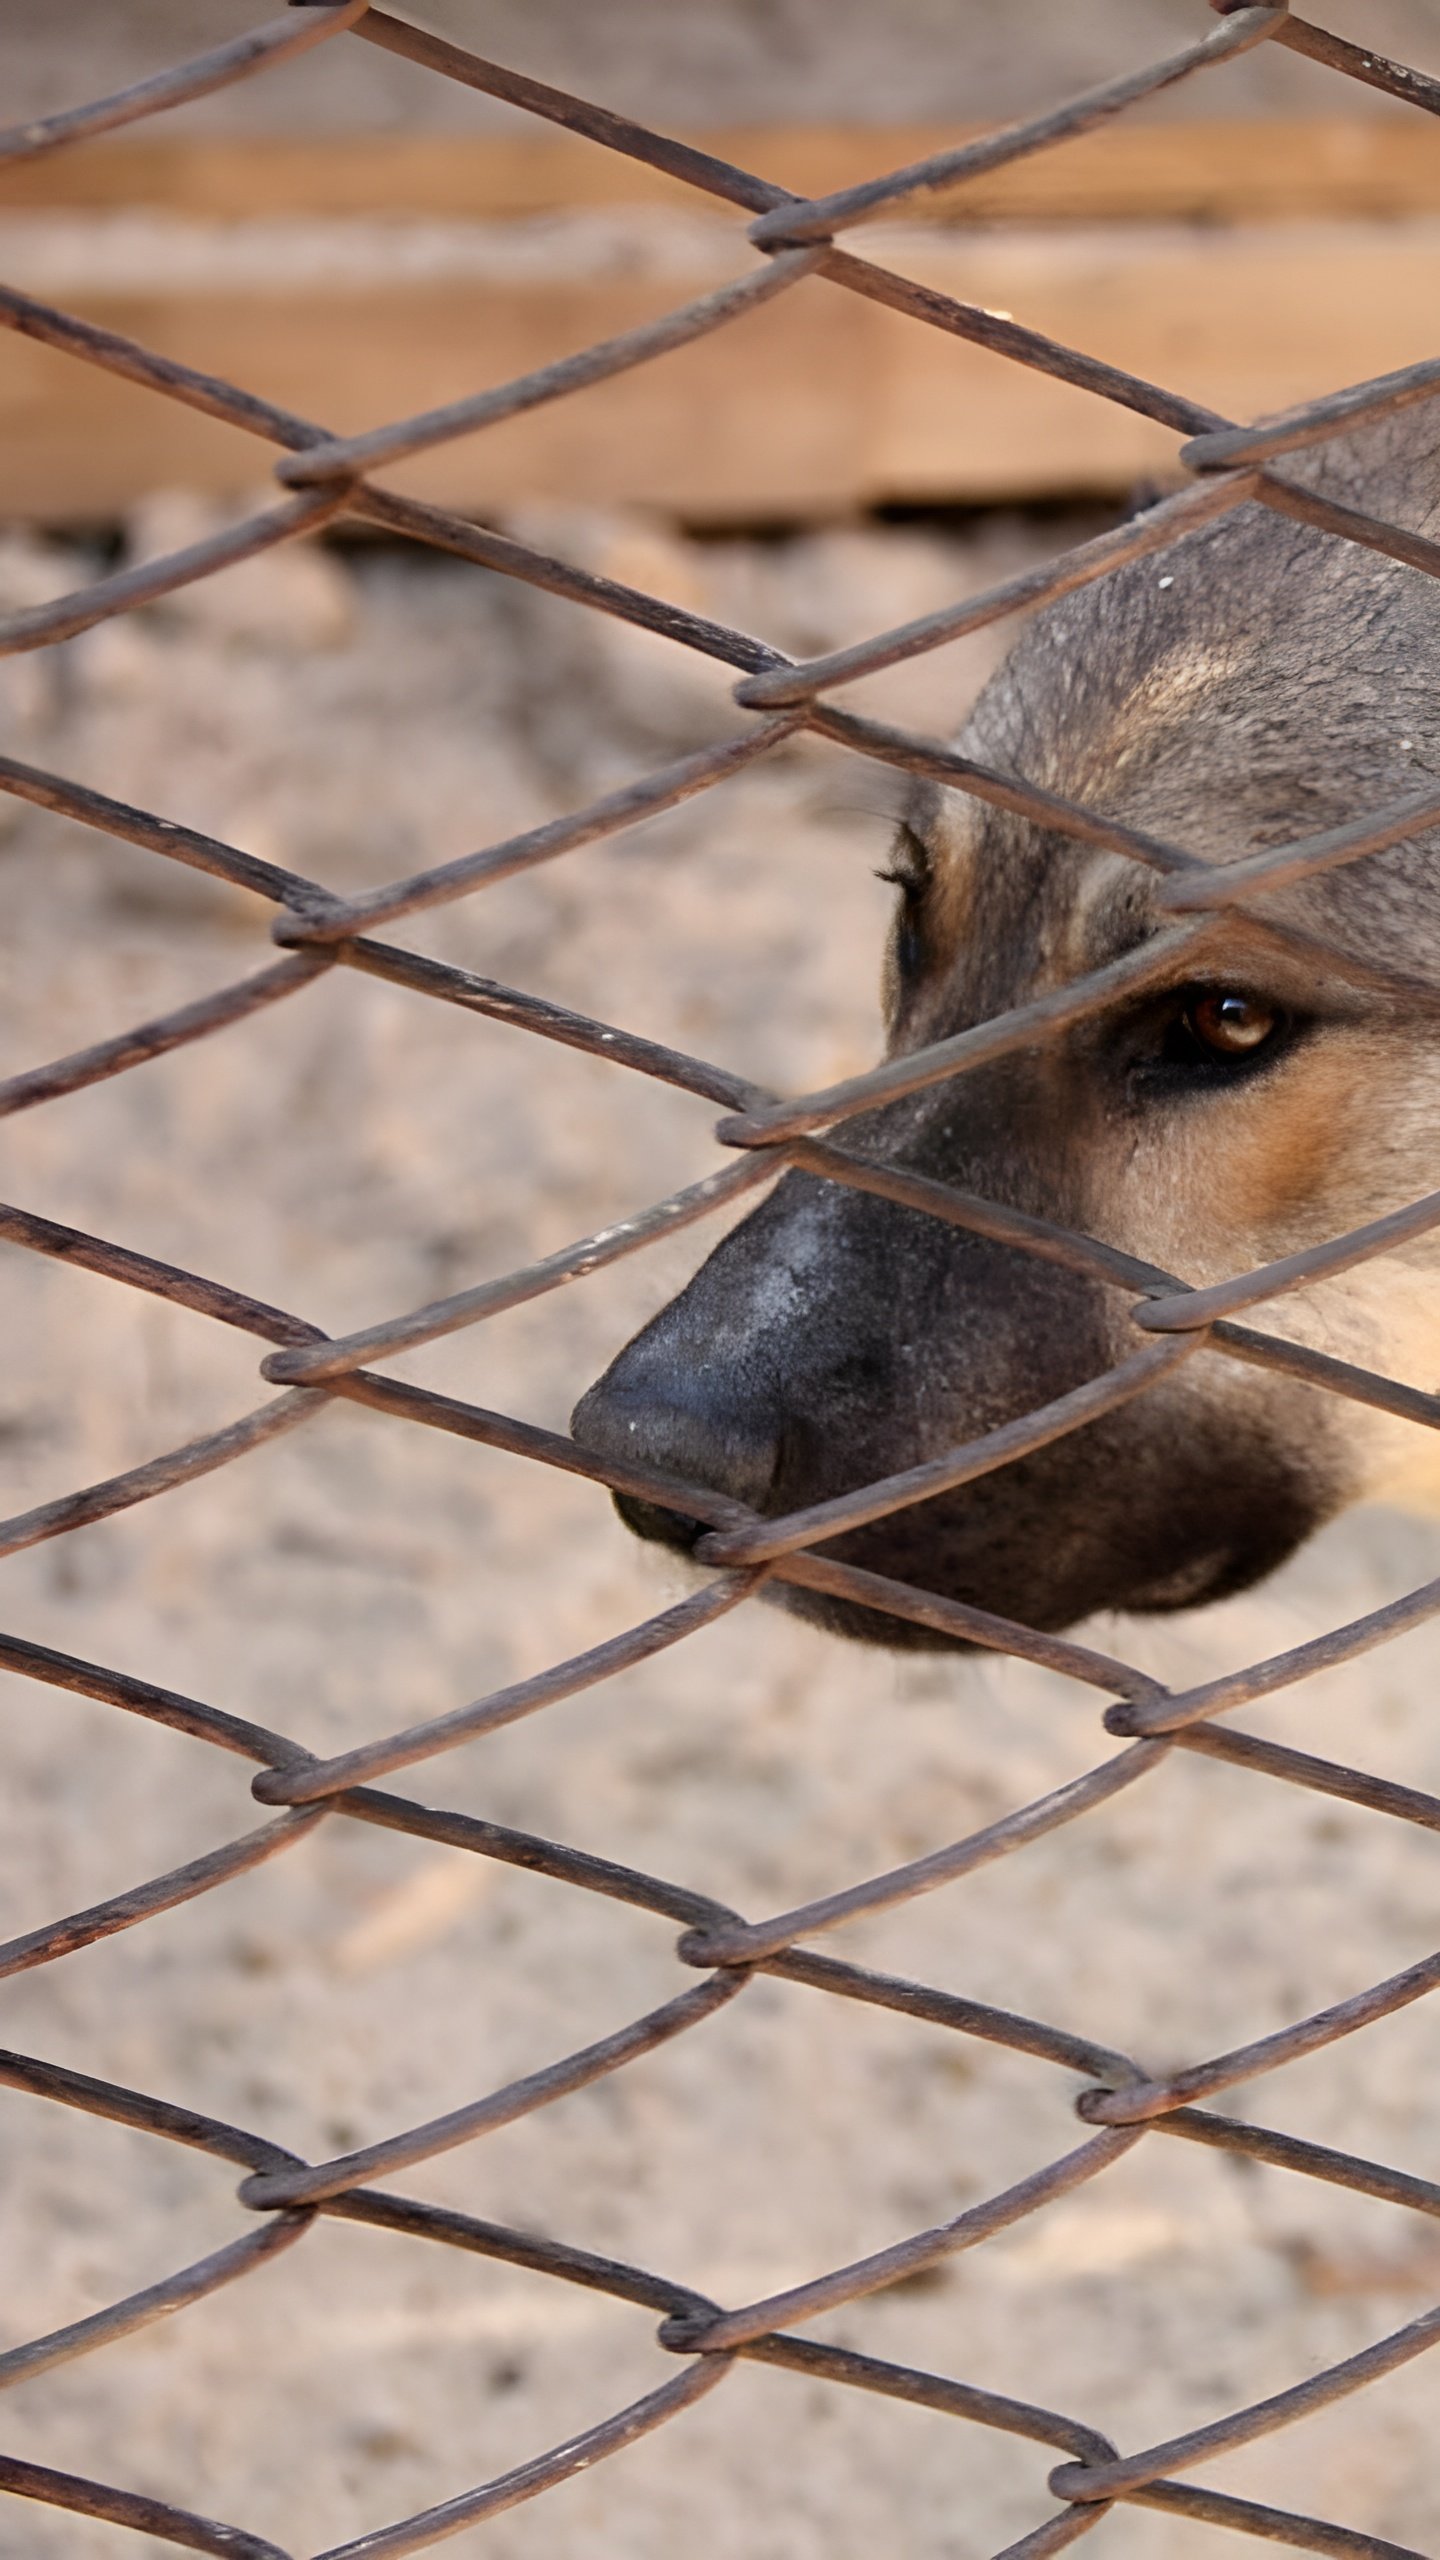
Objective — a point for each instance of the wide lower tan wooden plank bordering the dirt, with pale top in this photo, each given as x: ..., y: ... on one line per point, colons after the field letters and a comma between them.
x: 814, y: 406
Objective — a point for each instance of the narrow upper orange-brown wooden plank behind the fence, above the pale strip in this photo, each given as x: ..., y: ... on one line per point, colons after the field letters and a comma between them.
x: 1206, y: 170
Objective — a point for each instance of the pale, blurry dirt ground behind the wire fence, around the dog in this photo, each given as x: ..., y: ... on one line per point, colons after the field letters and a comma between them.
x: 363, y: 1151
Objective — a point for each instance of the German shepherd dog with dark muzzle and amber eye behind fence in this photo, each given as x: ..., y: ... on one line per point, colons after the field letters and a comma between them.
x: 1252, y: 685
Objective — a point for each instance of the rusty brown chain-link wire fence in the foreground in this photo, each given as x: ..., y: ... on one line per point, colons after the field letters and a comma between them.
x: 1124, y: 2103
